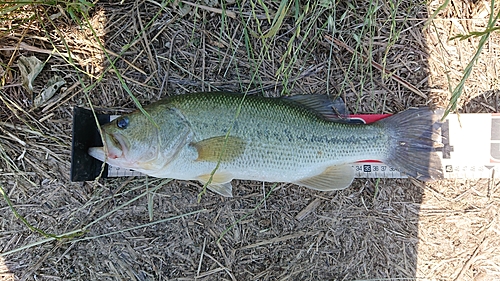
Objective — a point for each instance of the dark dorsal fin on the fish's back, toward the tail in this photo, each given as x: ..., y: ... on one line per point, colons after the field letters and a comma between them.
x: 333, y: 110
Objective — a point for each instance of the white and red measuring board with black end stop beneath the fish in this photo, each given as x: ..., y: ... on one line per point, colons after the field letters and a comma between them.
x: 471, y: 148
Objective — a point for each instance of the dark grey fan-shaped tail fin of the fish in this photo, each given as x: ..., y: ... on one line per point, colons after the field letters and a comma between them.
x: 415, y: 134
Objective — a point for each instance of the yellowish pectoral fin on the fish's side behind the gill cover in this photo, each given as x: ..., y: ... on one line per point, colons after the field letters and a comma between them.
x: 220, y: 148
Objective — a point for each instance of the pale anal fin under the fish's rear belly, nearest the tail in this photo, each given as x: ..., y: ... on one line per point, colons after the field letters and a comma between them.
x: 332, y: 178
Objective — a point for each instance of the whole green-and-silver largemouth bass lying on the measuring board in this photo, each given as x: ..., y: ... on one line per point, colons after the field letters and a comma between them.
x: 215, y: 137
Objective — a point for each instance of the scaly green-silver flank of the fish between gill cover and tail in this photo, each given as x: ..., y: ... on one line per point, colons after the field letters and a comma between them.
x: 295, y: 136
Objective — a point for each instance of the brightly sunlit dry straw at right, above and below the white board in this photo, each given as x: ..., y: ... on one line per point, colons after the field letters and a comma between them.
x: 458, y: 224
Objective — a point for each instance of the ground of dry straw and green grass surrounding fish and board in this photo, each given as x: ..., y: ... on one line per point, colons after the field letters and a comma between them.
x: 155, y: 229
